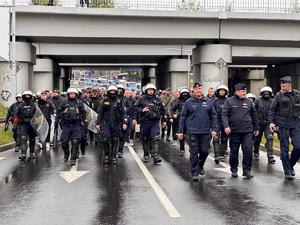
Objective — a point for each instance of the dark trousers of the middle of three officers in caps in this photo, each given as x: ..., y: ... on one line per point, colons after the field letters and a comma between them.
x: 246, y: 141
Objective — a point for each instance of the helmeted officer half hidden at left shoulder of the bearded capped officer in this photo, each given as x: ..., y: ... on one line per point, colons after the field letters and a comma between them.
x: 176, y: 112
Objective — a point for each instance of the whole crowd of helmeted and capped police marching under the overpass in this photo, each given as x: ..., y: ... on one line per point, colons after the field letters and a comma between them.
x: 193, y: 118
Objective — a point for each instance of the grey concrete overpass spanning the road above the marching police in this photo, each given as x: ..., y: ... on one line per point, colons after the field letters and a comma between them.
x: 86, y: 35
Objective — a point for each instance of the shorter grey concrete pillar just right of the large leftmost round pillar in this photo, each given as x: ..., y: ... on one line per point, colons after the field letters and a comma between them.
x: 43, y: 74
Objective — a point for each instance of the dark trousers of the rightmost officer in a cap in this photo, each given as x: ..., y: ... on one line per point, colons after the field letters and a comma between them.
x: 284, y: 135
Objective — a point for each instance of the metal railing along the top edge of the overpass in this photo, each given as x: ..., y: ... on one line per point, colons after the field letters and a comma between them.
x: 254, y: 6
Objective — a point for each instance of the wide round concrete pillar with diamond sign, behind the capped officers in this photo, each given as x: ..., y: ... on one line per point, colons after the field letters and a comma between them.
x: 210, y: 64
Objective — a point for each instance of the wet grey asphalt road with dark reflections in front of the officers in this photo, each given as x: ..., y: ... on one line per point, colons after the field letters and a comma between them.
x: 46, y: 191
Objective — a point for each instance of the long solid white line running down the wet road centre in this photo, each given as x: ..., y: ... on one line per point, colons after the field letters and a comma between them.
x: 169, y: 207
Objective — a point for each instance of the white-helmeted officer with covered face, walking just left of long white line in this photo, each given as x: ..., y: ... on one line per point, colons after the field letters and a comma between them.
x: 111, y: 117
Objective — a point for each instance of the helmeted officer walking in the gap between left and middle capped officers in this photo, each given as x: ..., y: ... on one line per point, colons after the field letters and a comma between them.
x: 220, y: 141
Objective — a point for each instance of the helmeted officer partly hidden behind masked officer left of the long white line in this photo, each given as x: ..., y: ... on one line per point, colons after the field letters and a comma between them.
x: 124, y: 136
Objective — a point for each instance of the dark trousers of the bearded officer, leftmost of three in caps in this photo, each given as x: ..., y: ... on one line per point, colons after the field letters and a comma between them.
x: 199, y: 145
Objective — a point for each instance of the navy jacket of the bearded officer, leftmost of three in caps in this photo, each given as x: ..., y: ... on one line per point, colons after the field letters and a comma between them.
x: 198, y: 116
